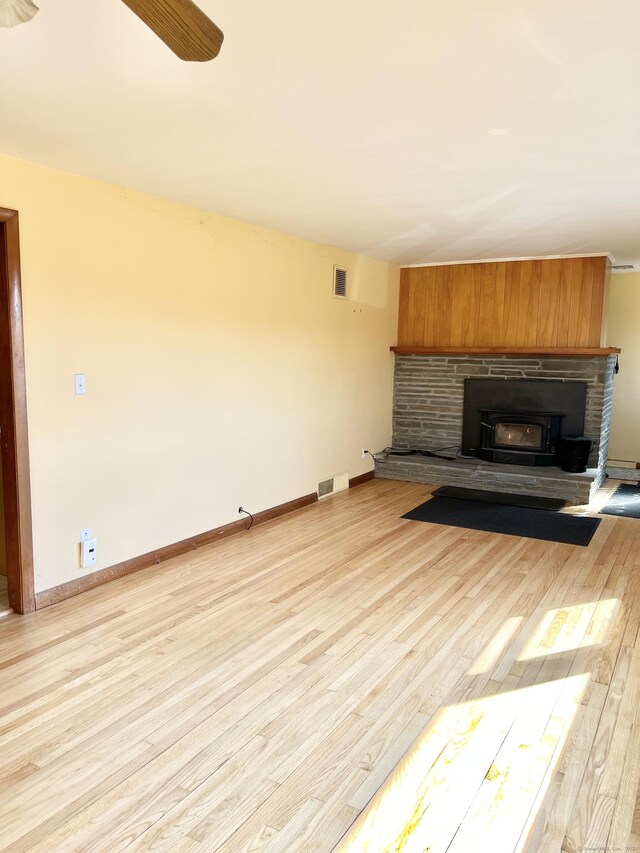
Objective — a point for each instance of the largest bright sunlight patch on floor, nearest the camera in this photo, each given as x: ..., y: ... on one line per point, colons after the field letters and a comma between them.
x: 478, y: 767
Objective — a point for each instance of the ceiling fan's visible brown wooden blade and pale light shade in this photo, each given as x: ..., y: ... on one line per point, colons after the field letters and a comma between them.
x: 180, y: 24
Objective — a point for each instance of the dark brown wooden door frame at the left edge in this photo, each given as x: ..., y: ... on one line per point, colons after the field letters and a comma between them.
x: 14, y: 441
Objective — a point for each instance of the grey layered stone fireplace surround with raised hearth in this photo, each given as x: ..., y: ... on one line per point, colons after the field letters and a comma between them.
x: 427, y: 415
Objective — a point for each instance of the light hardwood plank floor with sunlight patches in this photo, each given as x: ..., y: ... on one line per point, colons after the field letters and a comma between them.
x: 256, y: 694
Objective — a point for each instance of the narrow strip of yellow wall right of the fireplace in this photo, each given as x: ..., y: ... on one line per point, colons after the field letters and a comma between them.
x: 623, y: 330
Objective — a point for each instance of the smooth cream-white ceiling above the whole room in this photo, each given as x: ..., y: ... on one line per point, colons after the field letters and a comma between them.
x: 418, y: 132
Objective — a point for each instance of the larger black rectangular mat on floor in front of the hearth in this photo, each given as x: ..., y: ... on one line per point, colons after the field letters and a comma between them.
x: 514, y: 521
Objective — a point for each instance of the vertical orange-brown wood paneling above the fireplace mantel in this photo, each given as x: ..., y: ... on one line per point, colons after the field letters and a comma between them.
x: 545, y: 303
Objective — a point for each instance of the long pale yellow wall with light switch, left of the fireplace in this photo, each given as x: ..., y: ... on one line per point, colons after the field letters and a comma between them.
x: 220, y: 370
